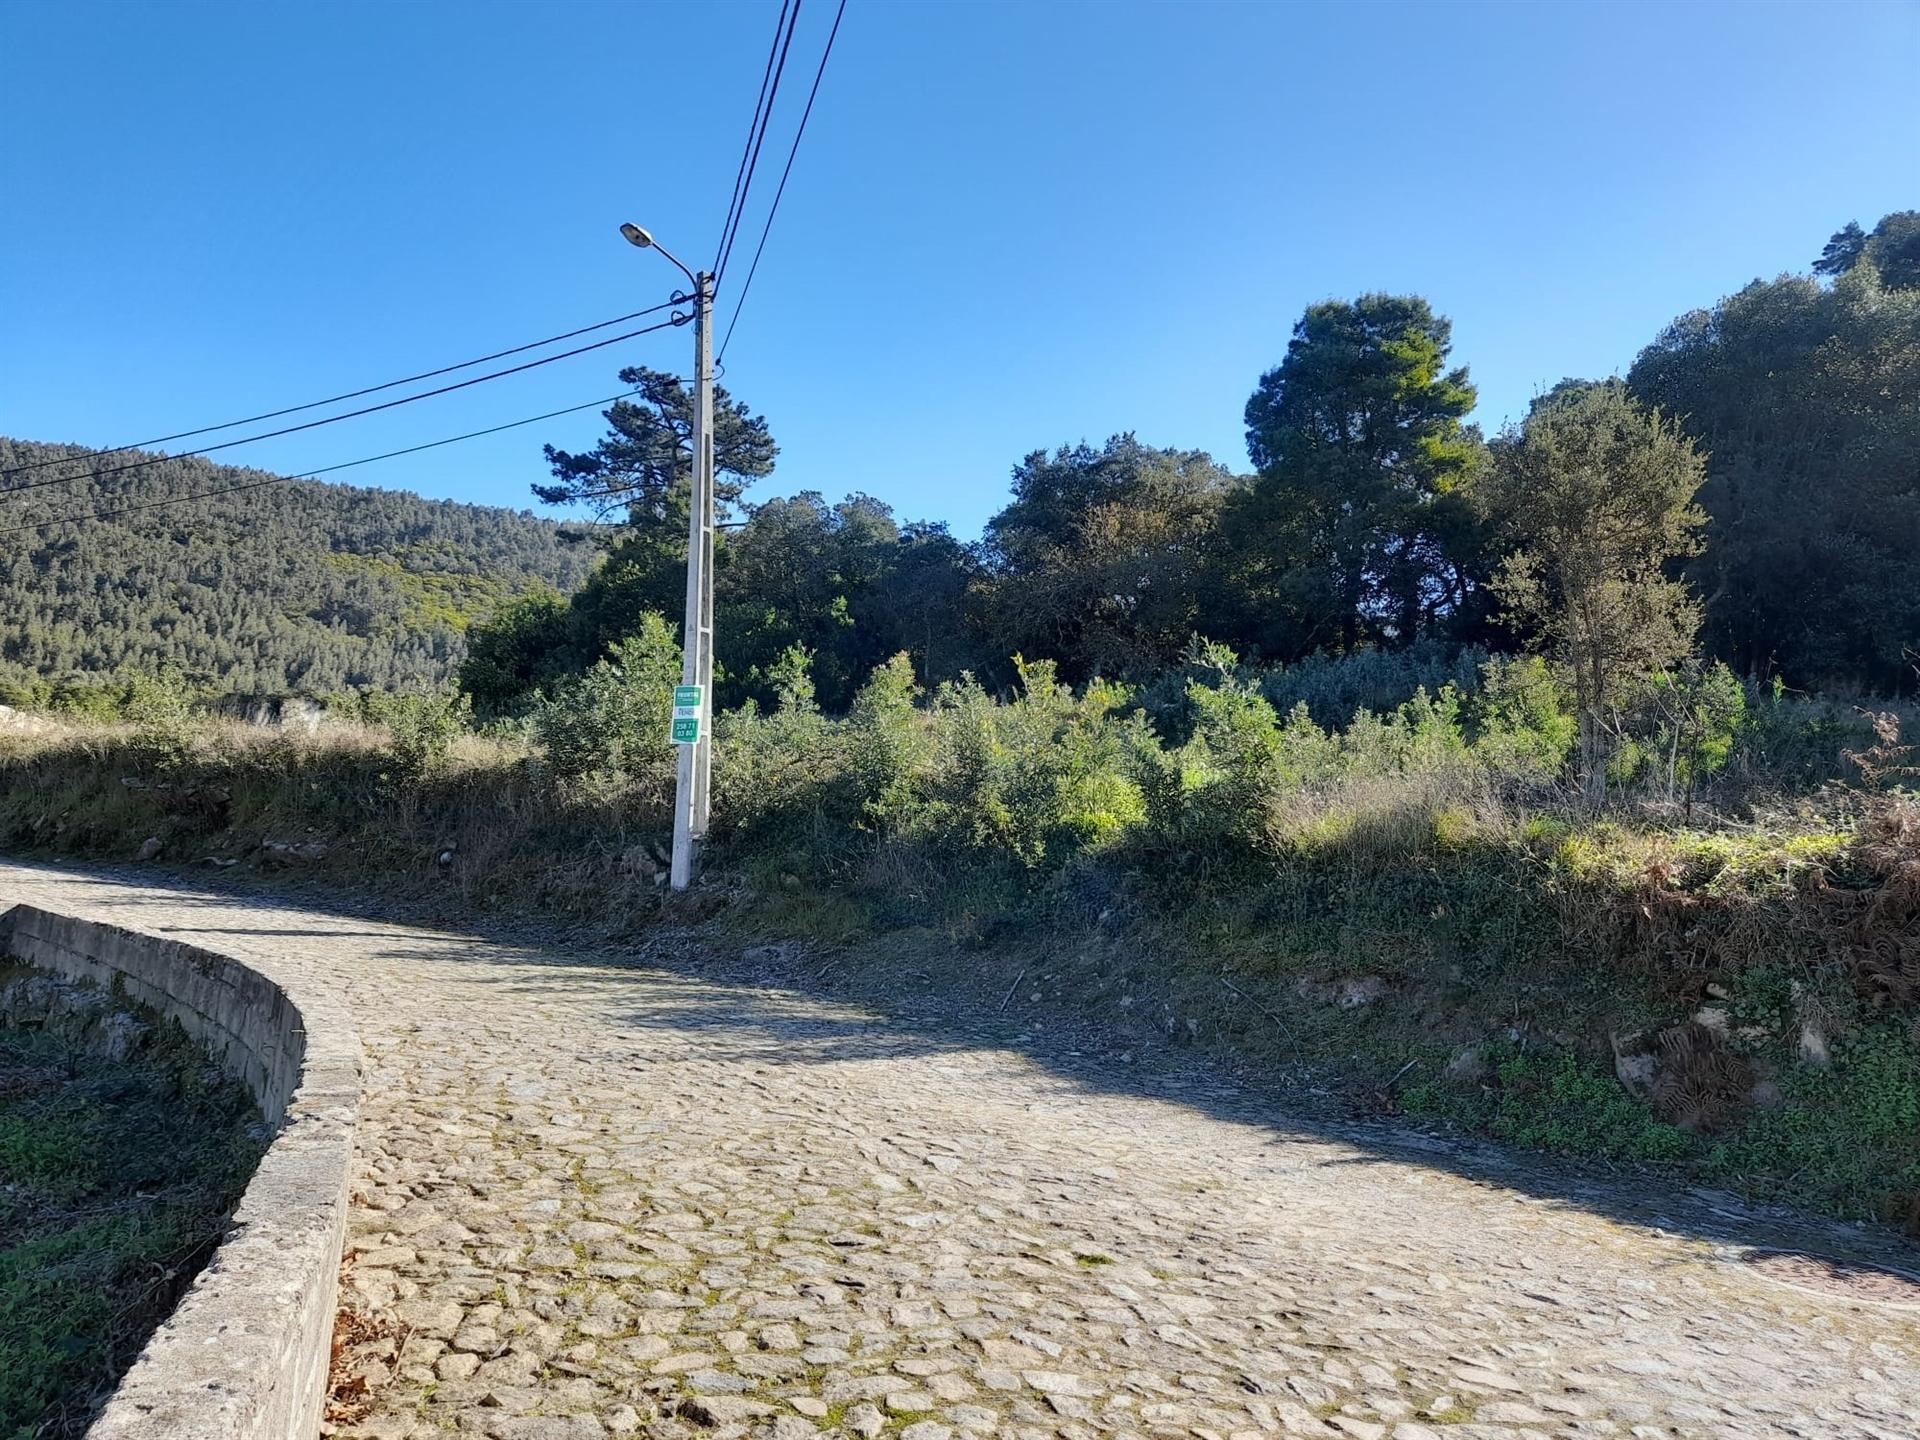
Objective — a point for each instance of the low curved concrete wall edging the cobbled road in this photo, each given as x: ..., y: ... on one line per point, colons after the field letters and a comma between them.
x: 245, y: 1353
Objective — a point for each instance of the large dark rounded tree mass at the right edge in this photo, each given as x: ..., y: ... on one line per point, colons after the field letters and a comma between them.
x: 1806, y: 400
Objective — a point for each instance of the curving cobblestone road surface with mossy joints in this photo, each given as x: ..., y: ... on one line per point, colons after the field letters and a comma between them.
x: 612, y: 1201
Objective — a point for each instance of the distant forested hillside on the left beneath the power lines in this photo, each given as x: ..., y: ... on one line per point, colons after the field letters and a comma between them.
x: 299, y: 587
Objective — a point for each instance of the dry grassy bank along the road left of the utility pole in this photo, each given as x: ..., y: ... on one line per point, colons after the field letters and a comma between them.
x: 479, y: 830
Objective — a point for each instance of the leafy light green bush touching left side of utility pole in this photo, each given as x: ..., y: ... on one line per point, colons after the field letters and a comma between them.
x: 613, y: 721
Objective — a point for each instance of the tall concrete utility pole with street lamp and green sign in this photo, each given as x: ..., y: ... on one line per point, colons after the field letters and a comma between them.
x: 694, y: 700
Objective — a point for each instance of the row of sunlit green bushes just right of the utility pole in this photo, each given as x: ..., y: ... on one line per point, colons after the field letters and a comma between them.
x: 1055, y: 773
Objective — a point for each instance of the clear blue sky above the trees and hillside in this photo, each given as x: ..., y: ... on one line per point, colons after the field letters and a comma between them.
x: 1011, y: 226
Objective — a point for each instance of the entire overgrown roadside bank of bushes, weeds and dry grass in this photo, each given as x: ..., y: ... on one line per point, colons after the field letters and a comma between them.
x: 1408, y: 907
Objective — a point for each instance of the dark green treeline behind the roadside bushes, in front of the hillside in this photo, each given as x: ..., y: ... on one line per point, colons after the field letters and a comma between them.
x: 1372, y: 521
